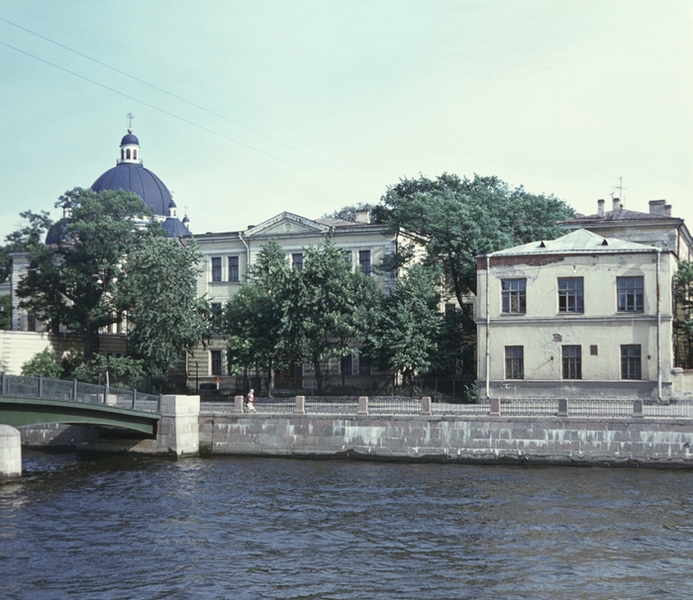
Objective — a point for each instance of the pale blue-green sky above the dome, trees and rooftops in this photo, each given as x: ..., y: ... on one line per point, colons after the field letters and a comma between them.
x: 248, y: 109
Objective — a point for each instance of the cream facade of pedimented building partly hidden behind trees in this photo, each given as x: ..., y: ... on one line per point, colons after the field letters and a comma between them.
x: 227, y: 258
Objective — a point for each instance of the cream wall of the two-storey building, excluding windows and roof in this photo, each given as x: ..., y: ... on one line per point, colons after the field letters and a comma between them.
x: 600, y: 330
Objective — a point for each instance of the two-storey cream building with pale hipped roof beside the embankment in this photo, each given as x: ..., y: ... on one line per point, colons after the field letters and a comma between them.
x: 582, y: 316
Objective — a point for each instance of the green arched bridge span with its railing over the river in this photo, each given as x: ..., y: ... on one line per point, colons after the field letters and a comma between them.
x: 39, y: 401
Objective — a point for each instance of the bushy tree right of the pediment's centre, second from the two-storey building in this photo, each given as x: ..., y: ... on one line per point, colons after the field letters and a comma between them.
x: 324, y: 308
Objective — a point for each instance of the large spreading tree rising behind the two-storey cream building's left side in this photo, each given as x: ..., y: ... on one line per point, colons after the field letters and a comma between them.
x: 457, y: 219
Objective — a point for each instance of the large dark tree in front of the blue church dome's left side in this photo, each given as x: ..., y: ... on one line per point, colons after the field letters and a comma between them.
x: 74, y: 280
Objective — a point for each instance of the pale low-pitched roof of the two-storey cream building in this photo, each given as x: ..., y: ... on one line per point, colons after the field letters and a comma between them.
x: 579, y: 241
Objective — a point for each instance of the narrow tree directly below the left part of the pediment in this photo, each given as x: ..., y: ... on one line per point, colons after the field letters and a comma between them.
x: 253, y: 318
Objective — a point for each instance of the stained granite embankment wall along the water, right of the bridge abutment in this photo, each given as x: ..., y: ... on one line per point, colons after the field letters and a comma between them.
x: 547, y: 440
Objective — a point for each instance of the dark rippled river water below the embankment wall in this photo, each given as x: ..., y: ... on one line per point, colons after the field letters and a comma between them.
x: 121, y: 527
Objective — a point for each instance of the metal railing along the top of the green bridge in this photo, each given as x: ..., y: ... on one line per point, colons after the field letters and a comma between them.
x: 75, y: 391
